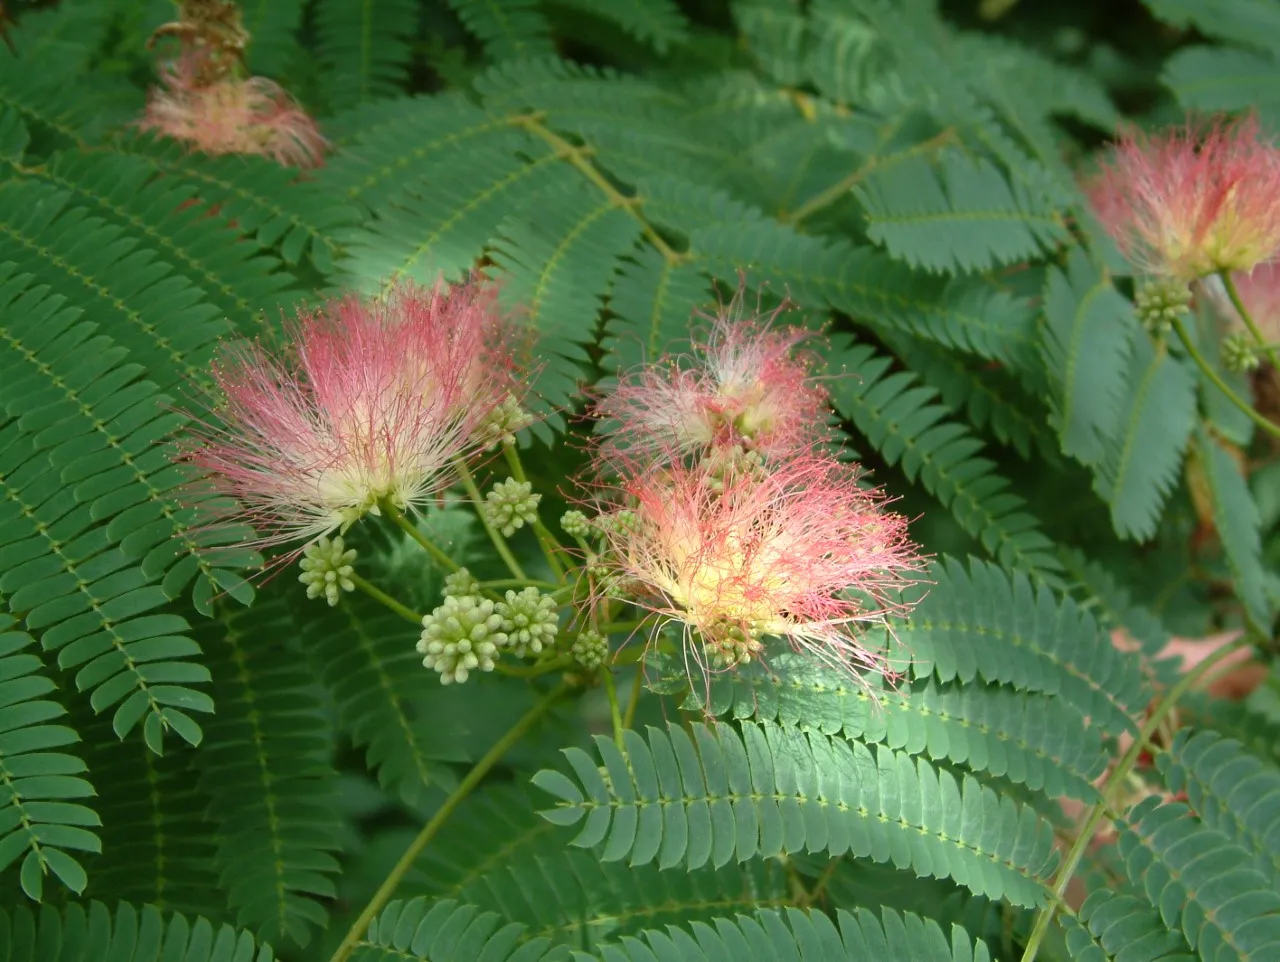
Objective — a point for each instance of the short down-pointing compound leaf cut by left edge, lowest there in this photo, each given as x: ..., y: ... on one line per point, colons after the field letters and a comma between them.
x: 43, y: 819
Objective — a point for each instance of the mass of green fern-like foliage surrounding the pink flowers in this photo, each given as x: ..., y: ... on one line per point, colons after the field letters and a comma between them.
x: 185, y: 775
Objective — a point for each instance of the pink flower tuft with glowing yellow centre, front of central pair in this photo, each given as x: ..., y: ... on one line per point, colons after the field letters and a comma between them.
x: 801, y: 553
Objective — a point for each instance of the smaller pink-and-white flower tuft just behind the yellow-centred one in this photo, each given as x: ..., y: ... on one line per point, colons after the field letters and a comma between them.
x: 743, y: 388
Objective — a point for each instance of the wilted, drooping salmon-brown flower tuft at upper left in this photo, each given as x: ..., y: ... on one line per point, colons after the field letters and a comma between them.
x: 232, y: 116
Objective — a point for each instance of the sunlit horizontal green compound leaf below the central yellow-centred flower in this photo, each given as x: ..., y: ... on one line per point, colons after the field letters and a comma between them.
x: 720, y: 796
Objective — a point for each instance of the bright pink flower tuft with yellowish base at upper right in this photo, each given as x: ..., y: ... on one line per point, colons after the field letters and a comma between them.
x: 1190, y: 203
